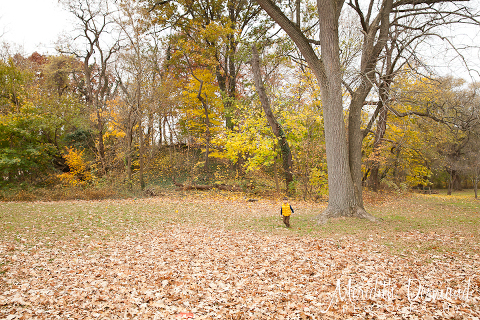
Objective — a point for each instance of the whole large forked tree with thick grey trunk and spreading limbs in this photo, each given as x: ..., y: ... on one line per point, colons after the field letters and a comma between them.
x: 344, y: 153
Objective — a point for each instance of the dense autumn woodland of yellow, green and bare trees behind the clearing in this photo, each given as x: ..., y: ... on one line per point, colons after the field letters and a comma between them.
x: 156, y: 94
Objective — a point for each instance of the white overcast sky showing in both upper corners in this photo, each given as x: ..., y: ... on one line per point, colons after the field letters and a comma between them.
x: 37, y: 24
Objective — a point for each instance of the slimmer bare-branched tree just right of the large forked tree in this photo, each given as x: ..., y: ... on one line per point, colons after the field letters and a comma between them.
x: 402, y: 57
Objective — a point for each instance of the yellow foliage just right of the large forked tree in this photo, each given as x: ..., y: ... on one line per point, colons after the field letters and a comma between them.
x: 408, y: 150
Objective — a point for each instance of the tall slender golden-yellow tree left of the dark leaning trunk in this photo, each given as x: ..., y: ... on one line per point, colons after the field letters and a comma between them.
x: 191, y: 64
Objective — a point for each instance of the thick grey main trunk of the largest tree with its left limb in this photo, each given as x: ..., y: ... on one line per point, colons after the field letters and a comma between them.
x: 343, y: 200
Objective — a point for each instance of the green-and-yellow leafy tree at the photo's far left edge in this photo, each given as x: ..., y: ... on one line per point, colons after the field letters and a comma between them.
x: 24, y: 154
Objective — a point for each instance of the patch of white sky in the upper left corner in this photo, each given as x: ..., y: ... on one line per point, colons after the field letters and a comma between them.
x: 33, y: 24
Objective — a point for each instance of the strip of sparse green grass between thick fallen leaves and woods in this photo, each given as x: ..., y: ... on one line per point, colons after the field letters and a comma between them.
x: 411, y: 224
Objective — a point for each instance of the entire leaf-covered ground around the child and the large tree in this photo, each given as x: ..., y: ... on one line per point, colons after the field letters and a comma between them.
x: 225, y: 258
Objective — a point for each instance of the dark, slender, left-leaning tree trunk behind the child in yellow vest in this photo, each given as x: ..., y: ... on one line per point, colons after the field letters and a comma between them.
x: 276, y: 127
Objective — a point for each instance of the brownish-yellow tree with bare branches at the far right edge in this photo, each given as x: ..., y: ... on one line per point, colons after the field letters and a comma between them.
x: 443, y: 124
